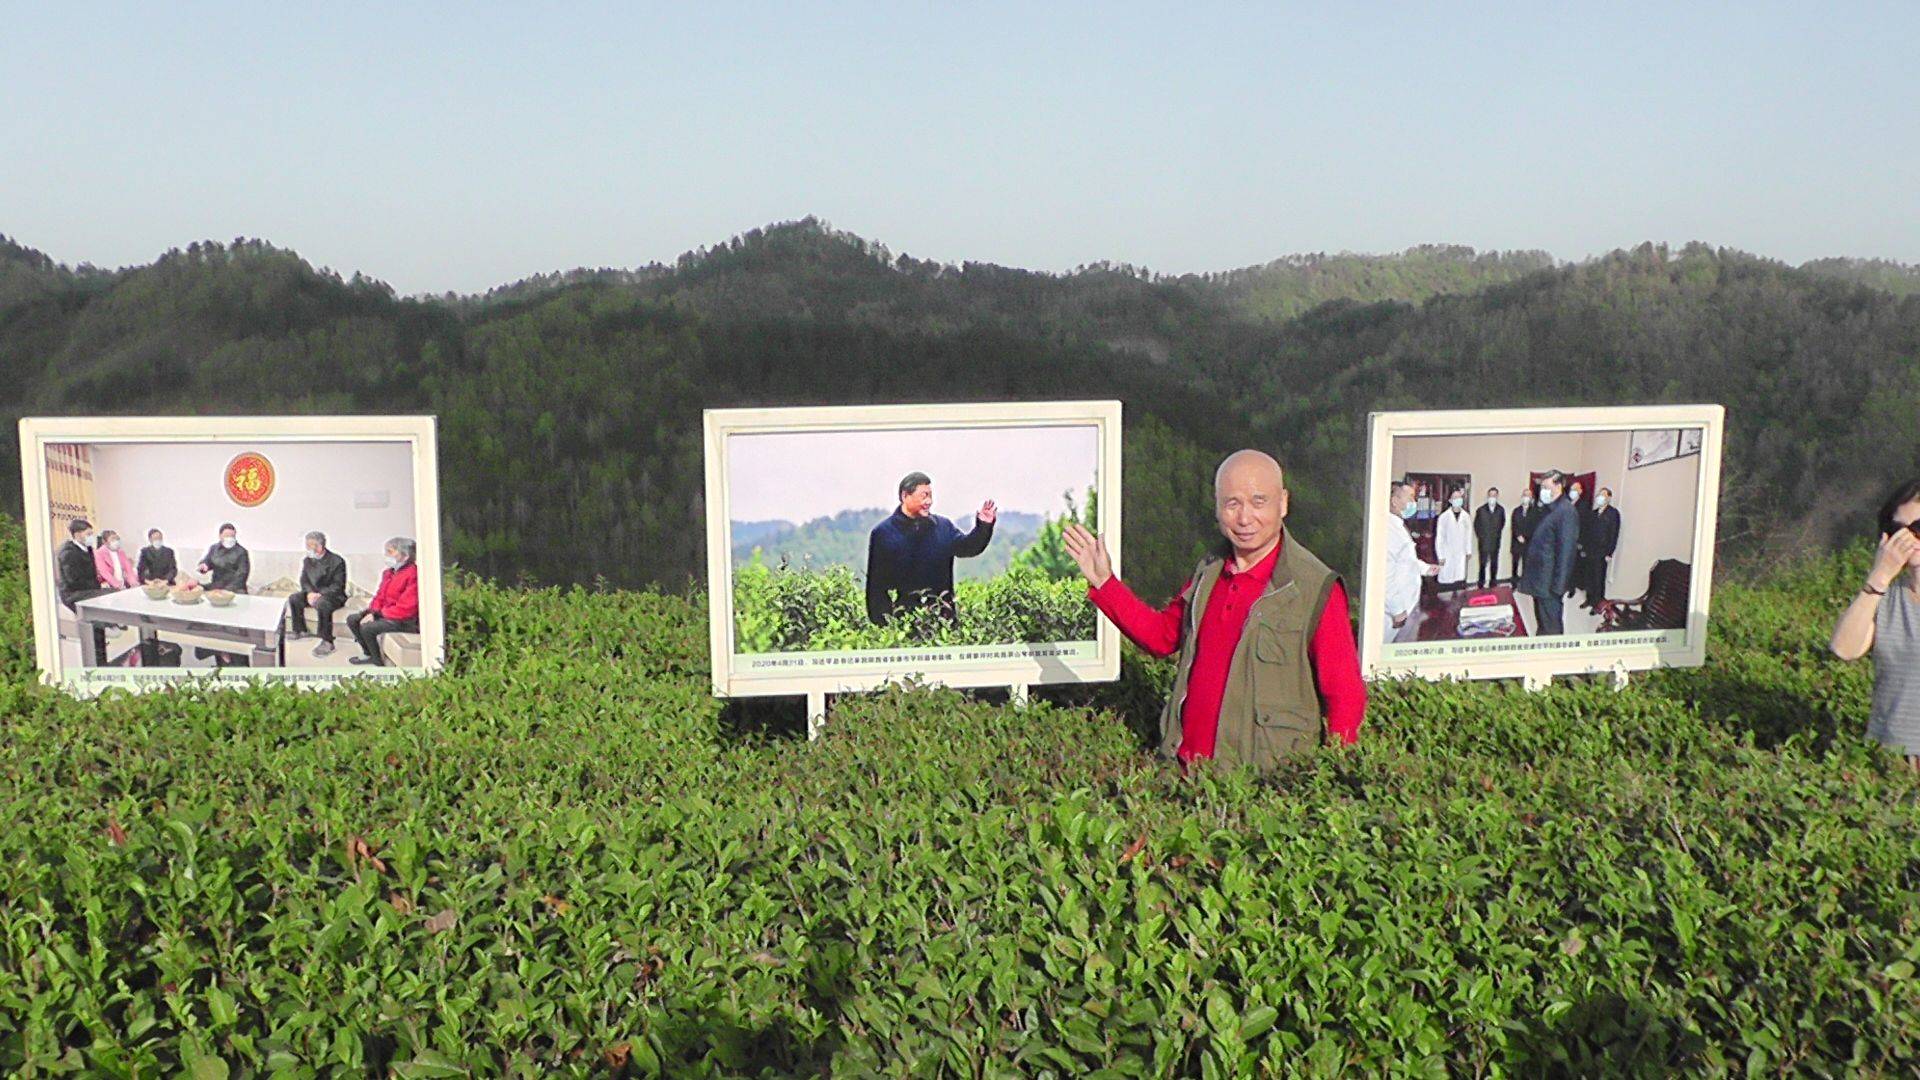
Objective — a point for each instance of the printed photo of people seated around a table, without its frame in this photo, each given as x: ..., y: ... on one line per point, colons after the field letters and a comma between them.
x: 208, y: 556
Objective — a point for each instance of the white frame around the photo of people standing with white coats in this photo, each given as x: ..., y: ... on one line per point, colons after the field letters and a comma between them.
x: 1537, y: 660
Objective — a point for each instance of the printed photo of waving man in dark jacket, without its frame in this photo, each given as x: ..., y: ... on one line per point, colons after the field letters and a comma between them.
x: 846, y: 541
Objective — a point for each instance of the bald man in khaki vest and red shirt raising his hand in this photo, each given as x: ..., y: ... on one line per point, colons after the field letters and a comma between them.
x: 1268, y: 666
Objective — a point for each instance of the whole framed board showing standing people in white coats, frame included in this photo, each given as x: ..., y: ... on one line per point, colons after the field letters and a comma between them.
x: 1612, y: 576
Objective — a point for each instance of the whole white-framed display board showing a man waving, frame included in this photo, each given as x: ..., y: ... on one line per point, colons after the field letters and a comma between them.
x: 857, y: 547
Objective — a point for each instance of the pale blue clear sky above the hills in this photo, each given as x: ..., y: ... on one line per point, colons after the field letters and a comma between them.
x: 464, y: 147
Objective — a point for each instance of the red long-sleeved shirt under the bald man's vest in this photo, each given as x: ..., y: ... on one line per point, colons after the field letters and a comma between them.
x: 1159, y: 631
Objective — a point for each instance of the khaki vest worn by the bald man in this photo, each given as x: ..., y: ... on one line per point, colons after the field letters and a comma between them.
x: 1272, y: 706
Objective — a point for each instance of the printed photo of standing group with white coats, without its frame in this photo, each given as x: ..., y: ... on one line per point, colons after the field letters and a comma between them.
x: 1537, y: 535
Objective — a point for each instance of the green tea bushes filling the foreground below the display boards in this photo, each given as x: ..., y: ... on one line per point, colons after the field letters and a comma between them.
x: 565, y: 858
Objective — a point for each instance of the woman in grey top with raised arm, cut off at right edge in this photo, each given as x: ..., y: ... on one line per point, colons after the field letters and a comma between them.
x: 1886, y: 620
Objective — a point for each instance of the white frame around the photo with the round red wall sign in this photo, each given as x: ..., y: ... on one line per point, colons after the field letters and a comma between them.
x: 237, y: 433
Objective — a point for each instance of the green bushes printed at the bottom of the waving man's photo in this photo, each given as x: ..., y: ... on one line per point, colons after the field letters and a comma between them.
x: 819, y: 610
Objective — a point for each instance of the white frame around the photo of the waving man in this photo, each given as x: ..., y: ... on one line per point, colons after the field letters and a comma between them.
x: 736, y: 675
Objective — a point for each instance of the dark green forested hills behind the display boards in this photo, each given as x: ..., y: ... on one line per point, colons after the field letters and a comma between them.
x: 571, y: 405
